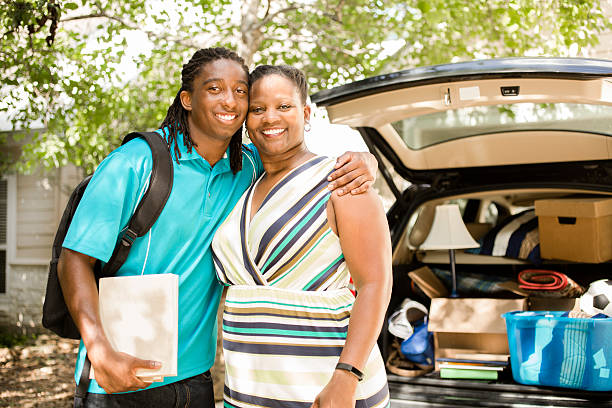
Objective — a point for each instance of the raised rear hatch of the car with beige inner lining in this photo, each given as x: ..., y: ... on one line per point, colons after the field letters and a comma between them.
x: 504, y: 112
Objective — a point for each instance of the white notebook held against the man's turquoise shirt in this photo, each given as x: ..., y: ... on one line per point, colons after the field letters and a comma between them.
x: 140, y: 317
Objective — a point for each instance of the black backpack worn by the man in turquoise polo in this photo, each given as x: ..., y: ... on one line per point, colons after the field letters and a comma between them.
x: 55, y: 312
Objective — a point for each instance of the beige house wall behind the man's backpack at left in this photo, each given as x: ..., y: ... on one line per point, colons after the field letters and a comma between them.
x: 36, y: 205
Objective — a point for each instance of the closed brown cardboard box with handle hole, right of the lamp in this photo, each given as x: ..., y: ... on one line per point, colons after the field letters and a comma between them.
x: 577, y: 230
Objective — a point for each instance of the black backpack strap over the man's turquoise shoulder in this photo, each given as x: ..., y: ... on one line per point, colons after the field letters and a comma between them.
x: 152, y: 202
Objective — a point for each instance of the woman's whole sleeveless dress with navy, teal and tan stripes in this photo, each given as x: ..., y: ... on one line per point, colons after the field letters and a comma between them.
x: 288, y: 304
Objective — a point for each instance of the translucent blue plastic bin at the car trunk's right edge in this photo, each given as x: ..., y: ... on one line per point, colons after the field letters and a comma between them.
x: 549, y: 349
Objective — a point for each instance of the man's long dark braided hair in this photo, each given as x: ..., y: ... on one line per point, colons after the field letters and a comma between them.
x: 176, y: 120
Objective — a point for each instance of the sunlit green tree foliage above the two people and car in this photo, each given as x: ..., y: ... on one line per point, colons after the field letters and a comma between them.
x: 63, y: 65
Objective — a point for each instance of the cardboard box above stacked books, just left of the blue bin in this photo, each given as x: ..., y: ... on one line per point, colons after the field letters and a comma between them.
x: 471, y: 326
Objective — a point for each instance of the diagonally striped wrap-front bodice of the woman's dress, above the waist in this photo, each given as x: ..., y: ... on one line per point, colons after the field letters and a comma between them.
x: 289, y: 235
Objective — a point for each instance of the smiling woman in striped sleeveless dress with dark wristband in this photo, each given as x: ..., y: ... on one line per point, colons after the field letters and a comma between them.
x: 294, y: 335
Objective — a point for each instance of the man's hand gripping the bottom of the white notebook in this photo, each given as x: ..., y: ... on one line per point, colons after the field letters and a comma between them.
x: 116, y: 372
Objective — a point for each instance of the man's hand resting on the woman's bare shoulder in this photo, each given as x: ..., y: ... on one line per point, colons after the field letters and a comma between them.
x: 356, y: 172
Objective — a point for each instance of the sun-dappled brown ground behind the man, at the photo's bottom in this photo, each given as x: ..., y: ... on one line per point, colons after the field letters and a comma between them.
x: 39, y: 373
